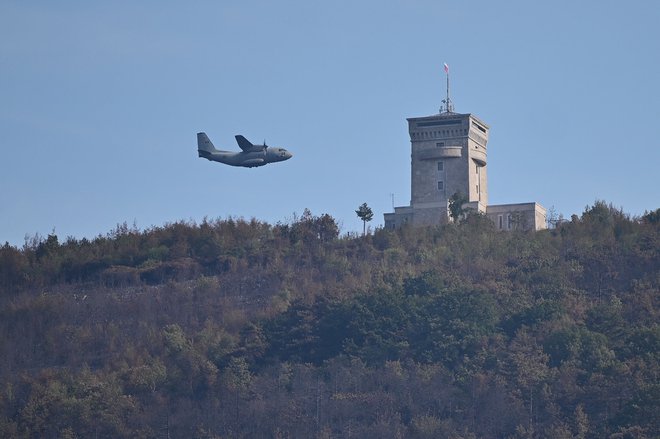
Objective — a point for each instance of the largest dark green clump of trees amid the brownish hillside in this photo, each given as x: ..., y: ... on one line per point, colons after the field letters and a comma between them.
x: 387, y: 325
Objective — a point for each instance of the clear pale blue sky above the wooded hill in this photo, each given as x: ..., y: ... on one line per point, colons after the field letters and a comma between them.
x: 100, y: 103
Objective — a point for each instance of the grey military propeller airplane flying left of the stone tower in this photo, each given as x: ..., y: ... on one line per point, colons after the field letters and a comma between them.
x: 250, y: 157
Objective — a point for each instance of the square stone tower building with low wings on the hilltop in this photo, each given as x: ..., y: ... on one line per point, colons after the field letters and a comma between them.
x: 449, y: 156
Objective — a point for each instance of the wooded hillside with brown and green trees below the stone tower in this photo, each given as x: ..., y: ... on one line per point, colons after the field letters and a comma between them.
x: 242, y: 329
